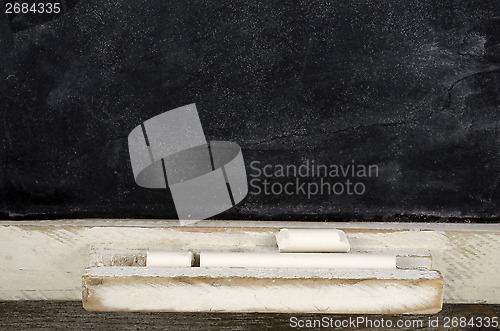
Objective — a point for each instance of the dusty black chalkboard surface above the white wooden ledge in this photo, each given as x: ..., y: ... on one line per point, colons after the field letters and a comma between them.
x: 409, y: 88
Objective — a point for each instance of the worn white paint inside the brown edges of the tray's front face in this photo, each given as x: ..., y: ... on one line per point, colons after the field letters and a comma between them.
x: 349, y: 299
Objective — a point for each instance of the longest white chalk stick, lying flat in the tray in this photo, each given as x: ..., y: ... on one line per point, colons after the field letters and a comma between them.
x: 298, y: 260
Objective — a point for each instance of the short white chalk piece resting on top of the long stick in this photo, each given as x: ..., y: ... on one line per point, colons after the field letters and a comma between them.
x: 312, y: 241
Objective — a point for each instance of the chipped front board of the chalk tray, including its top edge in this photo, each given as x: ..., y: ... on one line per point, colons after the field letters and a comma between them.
x: 387, y: 291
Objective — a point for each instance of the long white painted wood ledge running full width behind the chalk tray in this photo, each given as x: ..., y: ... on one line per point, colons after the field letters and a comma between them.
x: 45, y: 260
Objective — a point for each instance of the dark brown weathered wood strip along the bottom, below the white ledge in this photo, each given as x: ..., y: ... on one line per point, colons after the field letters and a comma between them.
x: 69, y: 315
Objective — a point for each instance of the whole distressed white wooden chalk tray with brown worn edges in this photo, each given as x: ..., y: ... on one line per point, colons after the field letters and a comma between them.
x: 118, y: 280
